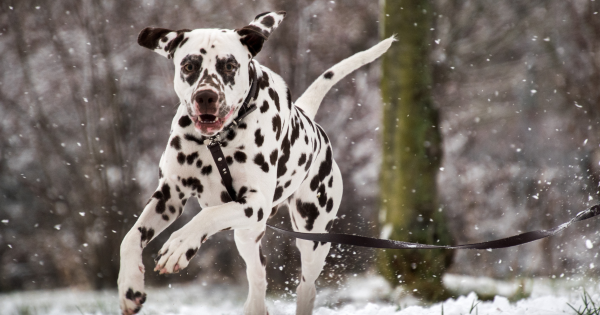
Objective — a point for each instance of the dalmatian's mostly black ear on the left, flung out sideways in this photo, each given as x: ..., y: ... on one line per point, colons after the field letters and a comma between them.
x: 161, y: 40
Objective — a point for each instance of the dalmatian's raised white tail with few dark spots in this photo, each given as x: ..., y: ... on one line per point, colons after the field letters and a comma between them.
x: 312, y: 97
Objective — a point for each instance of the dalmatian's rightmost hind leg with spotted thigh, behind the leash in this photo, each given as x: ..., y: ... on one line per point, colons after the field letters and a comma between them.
x: 314, y: 211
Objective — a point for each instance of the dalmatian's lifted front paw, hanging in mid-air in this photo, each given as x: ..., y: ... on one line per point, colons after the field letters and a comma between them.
x: 177, y: 252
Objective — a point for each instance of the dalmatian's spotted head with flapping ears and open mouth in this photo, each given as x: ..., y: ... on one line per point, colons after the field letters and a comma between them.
x: 212, y: 66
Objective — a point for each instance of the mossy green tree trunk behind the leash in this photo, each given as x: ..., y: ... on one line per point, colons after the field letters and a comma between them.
x: 412, y: 152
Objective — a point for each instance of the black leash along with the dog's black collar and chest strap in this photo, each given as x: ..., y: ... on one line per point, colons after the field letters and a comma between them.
x: 215, y: 149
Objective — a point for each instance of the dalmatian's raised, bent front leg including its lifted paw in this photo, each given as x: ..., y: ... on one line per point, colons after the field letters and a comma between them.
x: 249, y: 212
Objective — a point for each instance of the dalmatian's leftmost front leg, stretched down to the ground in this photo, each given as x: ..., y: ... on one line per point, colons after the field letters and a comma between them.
x: 165, y: 205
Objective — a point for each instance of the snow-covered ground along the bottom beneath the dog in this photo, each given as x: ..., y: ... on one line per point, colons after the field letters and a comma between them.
x: 359, y: 295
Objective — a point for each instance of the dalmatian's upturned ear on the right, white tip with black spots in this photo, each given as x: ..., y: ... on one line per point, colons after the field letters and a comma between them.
x: 255, y: 34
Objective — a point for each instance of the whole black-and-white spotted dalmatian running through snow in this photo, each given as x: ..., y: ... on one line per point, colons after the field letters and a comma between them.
x: 277, y: 155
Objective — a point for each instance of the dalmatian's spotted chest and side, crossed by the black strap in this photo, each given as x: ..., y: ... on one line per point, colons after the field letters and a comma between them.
x: 271, y: 151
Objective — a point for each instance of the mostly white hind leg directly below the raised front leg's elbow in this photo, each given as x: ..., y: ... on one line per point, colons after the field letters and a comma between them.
x: 248, y: 243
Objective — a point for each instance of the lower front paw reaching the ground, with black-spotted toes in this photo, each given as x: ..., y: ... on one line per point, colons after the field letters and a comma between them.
x: 131, y: 289
